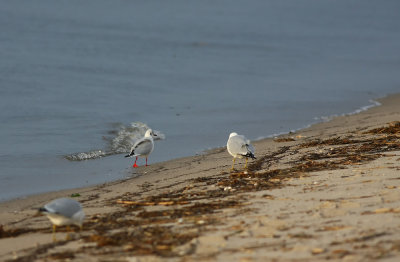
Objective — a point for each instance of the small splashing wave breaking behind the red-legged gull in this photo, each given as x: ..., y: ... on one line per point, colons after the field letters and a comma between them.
x: 120, y: 140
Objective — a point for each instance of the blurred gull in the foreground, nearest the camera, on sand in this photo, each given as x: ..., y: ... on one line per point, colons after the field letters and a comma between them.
x: 63, y: 211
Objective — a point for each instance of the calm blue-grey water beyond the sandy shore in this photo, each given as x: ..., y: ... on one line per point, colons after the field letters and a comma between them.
x: 74, y: 75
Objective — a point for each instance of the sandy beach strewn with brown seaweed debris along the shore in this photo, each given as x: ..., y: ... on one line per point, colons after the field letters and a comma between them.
x: 330, y: 191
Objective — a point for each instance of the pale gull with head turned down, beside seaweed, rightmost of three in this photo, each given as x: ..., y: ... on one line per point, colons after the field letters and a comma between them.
x: 239, y: 146
